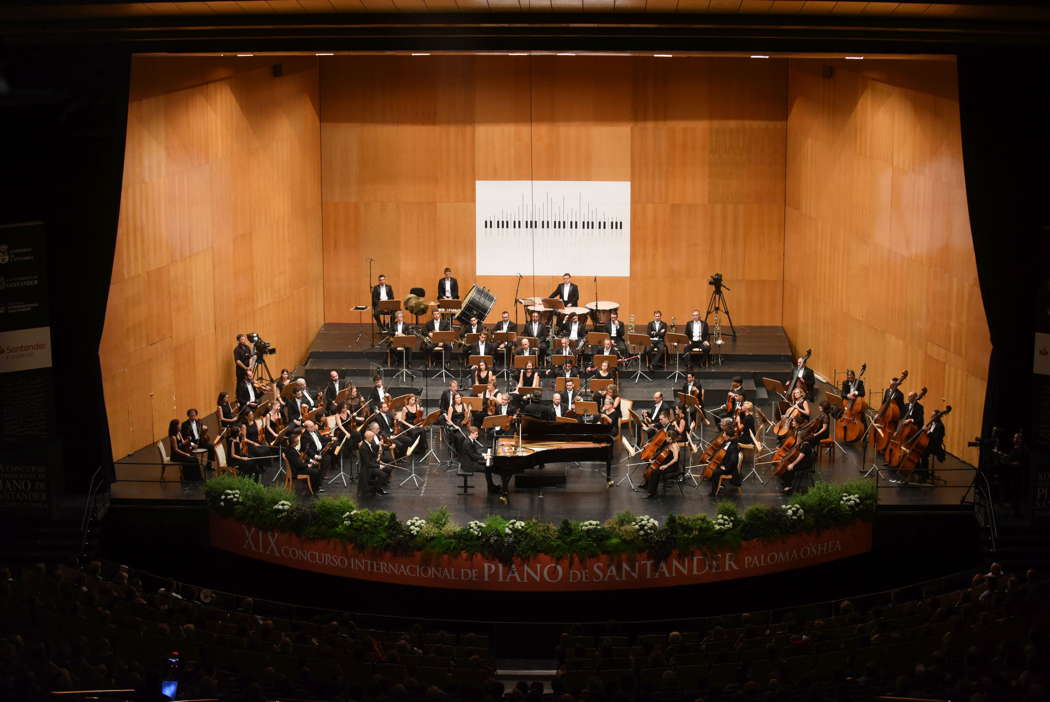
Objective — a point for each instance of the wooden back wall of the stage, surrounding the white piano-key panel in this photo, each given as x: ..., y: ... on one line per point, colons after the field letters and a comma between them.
x: 701, y: 140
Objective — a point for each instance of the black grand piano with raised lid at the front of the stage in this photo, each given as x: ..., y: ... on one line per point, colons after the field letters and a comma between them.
x: 544, y: 442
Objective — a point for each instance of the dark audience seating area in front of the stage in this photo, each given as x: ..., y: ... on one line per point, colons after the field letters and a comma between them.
x: 67, y: 628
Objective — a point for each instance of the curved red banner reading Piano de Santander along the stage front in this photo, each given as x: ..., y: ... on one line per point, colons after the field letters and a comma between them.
x: 542, y: 573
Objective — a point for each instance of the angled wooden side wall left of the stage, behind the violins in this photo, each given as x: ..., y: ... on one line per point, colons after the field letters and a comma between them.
x: 220, y: 232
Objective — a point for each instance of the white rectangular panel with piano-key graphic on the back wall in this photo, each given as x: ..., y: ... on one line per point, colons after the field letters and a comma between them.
x: 540, y: 227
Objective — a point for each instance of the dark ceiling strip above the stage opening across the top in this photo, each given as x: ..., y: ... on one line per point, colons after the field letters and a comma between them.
x: 700, y: 26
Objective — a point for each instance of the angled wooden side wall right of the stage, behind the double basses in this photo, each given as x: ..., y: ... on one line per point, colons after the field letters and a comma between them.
x: 880, y: 258
